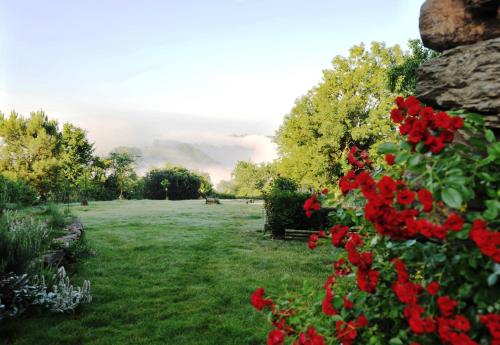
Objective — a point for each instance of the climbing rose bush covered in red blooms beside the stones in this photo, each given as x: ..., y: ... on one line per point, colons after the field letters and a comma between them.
x: 416, y: 256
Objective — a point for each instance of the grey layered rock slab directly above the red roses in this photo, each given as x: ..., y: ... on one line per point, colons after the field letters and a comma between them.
x: 466, y: 77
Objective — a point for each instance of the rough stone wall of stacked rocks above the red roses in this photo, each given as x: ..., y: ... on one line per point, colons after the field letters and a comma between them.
x: 467, y: 74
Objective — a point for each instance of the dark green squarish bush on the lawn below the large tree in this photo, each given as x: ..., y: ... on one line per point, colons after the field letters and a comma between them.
x: 284, y: 210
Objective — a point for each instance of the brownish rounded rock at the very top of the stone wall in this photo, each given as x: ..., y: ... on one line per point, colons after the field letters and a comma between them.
x: 445, y: 24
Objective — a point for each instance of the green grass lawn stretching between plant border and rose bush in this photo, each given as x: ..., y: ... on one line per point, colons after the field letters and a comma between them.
x: 173, y: 272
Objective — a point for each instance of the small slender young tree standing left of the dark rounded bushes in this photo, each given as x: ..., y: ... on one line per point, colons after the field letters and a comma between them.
x: 122, y: 165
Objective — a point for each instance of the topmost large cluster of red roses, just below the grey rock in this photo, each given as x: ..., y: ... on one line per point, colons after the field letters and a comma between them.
x: 422, y: 124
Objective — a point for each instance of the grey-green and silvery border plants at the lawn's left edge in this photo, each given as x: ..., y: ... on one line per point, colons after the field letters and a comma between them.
x: 26, y: 282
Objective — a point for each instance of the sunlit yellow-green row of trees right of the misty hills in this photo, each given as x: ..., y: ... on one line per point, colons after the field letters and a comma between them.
x: 347, y: 108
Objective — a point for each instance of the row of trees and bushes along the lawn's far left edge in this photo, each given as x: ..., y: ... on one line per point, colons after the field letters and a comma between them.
x: 61, y: 165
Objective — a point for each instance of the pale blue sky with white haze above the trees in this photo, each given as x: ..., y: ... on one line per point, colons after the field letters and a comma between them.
x: 131, y: 71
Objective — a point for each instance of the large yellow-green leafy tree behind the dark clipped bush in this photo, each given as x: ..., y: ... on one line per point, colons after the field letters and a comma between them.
x: 347, y: 108
